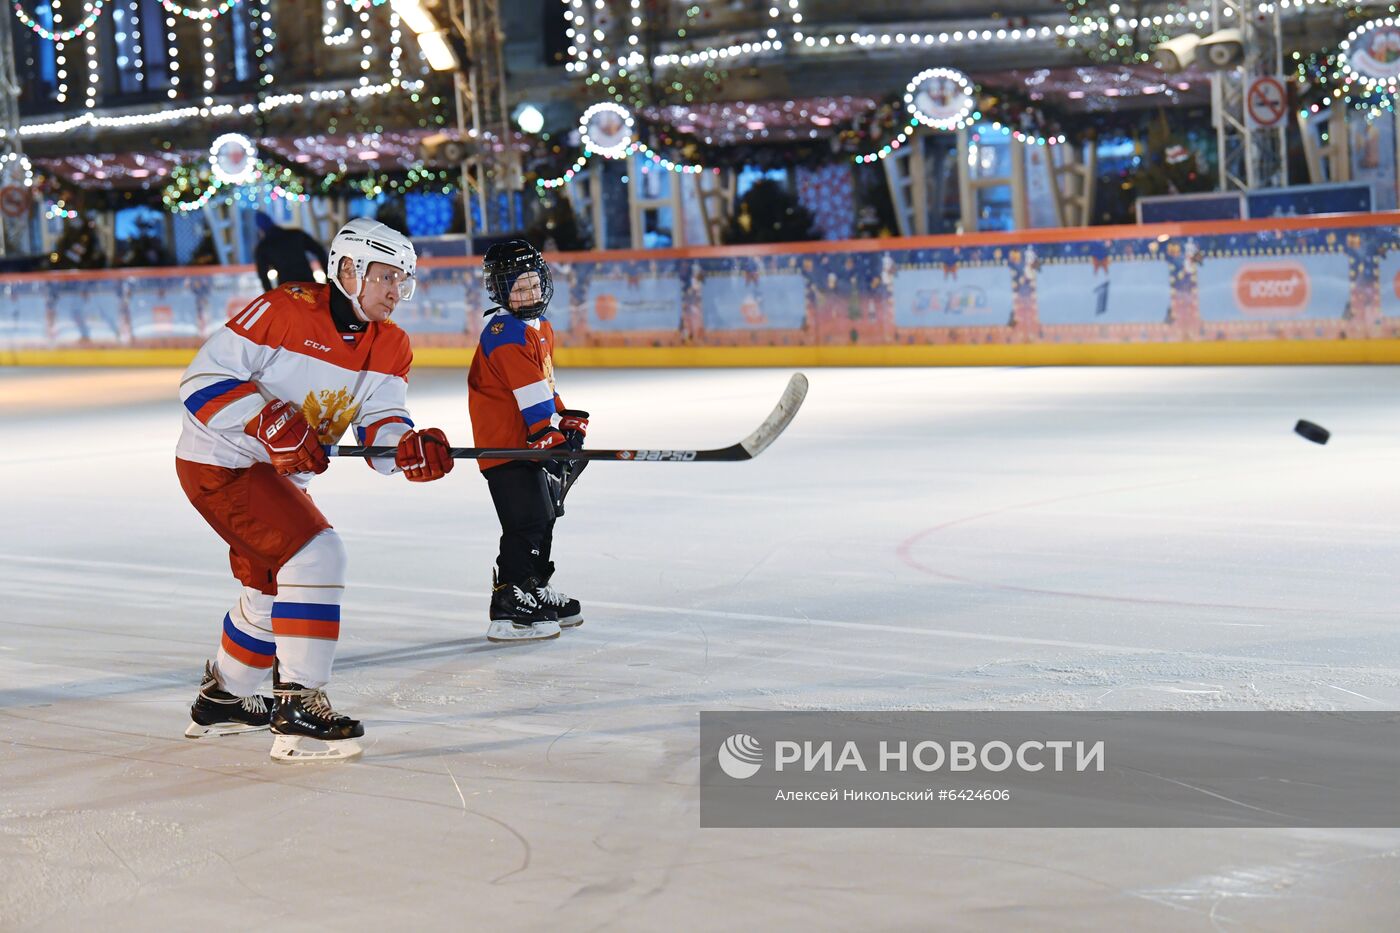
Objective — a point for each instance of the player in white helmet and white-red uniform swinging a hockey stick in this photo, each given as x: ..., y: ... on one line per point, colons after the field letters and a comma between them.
x: 289, y: 373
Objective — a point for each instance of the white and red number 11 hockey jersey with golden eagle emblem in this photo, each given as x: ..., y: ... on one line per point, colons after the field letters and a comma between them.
x: 286, y: 347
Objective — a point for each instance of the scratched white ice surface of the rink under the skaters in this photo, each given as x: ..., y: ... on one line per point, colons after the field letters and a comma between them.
x: 958, y: 539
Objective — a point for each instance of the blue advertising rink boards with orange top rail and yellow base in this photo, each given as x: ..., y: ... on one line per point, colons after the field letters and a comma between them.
x: 1319, y: 289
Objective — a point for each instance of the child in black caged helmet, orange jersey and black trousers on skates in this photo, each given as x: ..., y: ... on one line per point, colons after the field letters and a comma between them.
x: 514, y: 406
